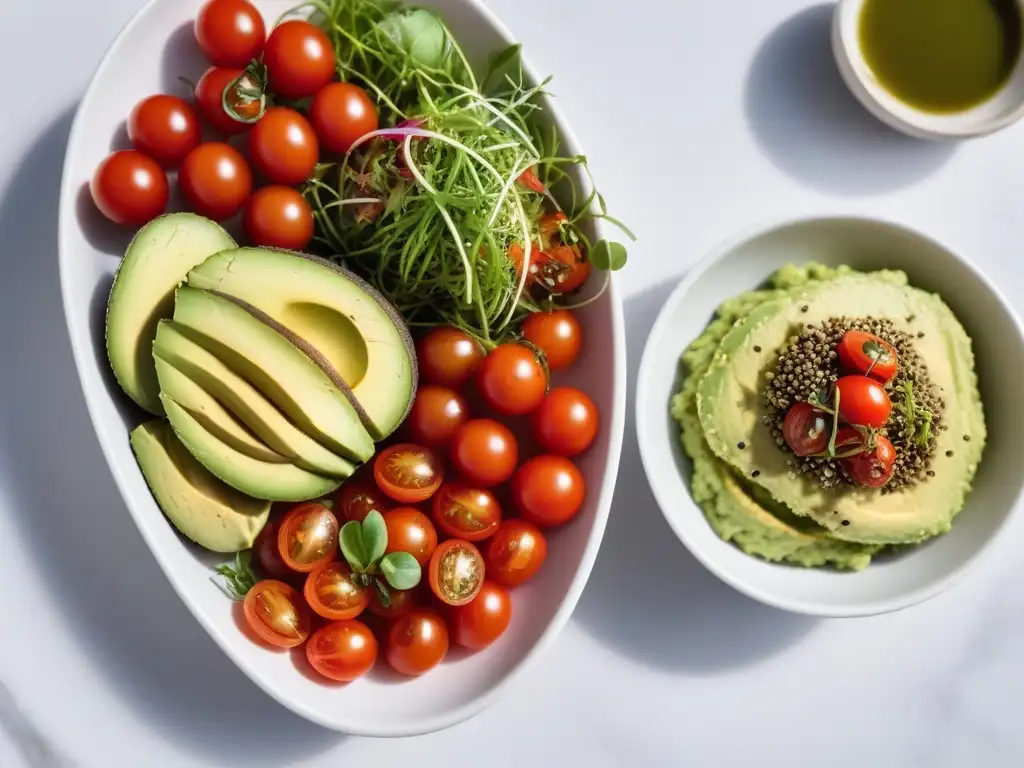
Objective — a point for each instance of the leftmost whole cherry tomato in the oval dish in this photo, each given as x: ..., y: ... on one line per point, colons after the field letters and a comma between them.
x: 131, y: 188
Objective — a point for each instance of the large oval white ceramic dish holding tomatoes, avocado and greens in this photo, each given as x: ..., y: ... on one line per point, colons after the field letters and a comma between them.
x: 147, y: 58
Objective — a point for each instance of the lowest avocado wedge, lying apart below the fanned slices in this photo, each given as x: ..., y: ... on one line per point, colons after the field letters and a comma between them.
x: 204, y: 509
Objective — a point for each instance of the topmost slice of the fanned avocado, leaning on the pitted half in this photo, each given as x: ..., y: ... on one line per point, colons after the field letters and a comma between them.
x: 276, y: 367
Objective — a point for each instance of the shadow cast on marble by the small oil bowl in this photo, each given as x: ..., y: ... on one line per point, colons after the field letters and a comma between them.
x: 815, y: 131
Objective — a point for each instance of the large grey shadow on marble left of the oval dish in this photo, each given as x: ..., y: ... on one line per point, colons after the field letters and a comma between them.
x: 73, y: 523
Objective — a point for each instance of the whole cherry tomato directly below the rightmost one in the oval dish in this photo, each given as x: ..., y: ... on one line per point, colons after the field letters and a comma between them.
x: 548, y: 491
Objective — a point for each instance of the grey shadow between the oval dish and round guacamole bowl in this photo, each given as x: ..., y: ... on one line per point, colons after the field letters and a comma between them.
x: 649, y: 599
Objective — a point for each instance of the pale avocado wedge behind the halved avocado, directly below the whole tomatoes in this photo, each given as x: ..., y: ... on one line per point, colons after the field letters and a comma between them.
x: 158, y: 260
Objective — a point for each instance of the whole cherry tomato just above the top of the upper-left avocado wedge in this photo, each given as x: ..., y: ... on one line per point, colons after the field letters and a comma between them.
x: 216, y: 181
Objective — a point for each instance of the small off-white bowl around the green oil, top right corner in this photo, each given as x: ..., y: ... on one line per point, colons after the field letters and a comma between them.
x: 1003, y: 110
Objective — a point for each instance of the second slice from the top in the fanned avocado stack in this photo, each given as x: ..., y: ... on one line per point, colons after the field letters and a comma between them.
x: 245, y: 403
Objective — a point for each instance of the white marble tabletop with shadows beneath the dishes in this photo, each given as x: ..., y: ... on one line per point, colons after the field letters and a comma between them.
x: 700, y: 119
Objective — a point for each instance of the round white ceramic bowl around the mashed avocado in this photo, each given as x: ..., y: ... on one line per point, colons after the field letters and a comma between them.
x: 890, y: 583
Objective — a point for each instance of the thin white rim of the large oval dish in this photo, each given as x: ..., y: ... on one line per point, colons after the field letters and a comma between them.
x: 604, y: 494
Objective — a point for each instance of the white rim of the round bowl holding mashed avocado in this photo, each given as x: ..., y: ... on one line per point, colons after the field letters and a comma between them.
x: 646, y: 410
